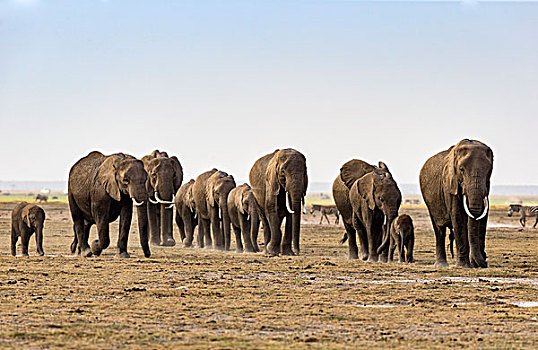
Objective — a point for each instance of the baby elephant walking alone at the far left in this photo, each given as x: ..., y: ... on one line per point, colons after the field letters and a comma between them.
x: 25, y: 220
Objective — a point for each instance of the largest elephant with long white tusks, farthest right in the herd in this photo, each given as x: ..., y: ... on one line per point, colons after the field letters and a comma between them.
x: 455, y: 185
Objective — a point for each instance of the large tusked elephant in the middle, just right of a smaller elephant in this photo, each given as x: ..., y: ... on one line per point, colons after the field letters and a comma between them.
x: 277, y: 179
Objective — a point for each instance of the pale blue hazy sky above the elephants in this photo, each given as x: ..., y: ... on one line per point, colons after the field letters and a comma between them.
x: 220, y: 83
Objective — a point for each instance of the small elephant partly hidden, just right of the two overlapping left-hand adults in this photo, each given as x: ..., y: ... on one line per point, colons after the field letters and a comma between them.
x: 186, y: 218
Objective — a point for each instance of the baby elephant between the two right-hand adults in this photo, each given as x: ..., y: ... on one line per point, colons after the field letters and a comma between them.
x: 402, y: 234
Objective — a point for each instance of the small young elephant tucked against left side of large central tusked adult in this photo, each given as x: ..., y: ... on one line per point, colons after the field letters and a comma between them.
x: 244, y: 218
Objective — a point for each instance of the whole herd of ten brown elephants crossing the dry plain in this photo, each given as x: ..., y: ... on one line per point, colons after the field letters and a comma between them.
x: 455, y: 185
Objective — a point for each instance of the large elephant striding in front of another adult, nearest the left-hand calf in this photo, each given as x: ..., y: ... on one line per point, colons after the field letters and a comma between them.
x: 101, y: 188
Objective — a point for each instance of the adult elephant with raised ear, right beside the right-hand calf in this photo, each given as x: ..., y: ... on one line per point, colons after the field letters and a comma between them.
x: 375, y: 199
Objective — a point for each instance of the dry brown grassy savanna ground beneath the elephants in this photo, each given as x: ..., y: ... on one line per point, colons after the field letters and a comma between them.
x: 202, y: 298
